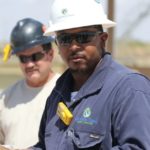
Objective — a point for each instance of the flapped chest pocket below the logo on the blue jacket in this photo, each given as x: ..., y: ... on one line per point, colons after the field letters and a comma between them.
x: 85, y: 139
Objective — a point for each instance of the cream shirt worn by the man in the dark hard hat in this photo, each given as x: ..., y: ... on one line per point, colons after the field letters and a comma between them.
x: 21, y: 109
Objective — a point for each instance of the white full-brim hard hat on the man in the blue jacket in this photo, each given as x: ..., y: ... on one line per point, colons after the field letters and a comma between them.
x: 67, y: 14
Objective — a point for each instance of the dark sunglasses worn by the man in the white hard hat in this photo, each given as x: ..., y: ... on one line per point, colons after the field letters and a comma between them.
x: 65, y: 39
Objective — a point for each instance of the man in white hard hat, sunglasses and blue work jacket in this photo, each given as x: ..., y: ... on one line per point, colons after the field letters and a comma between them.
x: 101, y: 105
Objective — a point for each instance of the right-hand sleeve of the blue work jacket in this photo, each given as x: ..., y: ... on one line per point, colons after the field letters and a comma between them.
x: 131, y: 115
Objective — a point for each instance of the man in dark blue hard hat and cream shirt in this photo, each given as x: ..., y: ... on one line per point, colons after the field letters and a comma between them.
x: 22, y: 104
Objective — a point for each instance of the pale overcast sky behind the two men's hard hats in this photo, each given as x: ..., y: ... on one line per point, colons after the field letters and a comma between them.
x: 126, y: 11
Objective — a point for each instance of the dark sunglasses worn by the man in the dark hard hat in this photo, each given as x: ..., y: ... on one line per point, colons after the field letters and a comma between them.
x: 34, y: 57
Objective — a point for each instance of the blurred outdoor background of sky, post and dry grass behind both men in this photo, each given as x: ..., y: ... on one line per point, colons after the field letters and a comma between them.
x: 129, y: 41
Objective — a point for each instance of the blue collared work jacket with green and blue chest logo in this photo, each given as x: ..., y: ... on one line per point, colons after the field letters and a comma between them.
x: 111, y: 112
